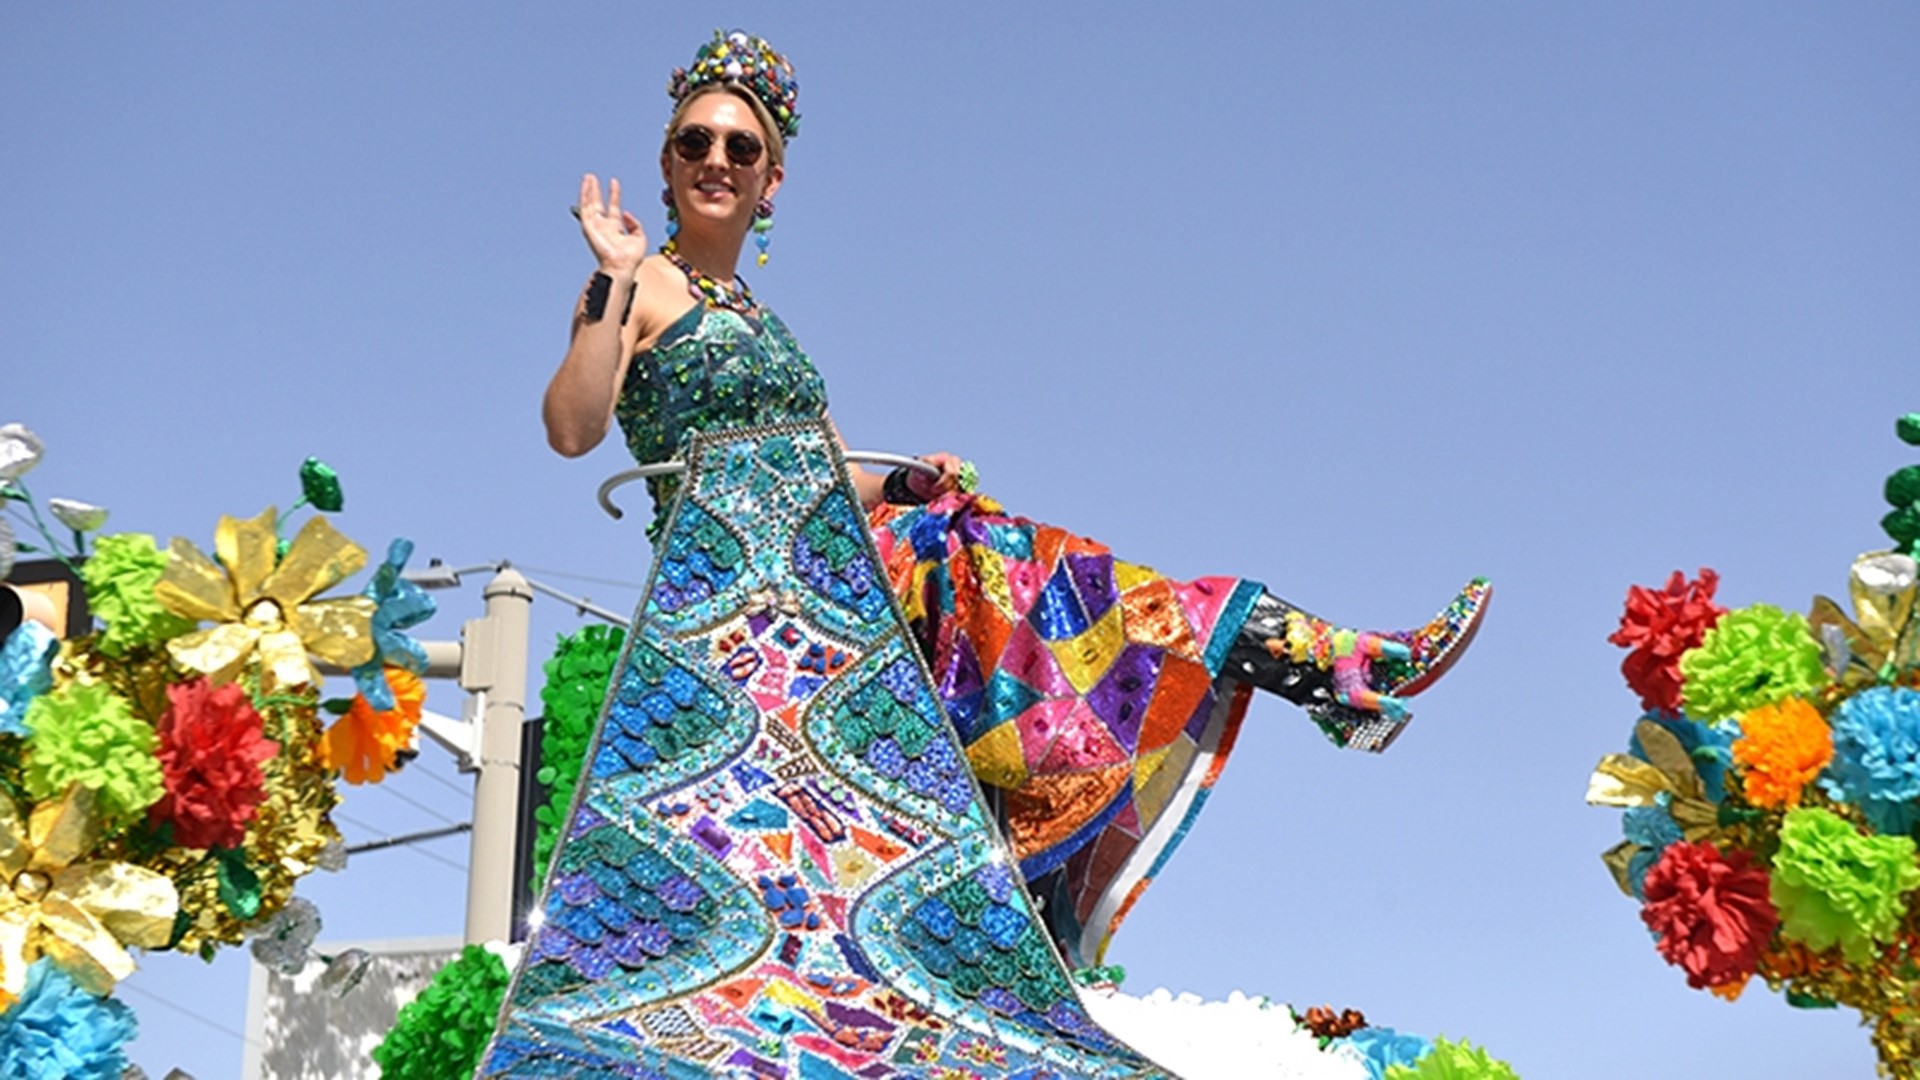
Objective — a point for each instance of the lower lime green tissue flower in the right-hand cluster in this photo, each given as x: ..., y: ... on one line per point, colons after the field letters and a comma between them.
x: 1836, y: 887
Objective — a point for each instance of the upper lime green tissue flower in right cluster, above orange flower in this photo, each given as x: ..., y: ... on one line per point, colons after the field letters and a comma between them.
x: 1754, y: 656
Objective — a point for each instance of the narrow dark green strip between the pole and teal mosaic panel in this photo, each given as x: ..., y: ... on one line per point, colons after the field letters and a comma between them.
x: 577, y: 687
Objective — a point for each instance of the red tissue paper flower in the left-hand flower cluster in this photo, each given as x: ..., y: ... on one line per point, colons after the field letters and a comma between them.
x: 212, y: 750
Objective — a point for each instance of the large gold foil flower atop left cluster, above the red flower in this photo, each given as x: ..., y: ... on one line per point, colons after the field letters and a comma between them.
x: 266, y: 608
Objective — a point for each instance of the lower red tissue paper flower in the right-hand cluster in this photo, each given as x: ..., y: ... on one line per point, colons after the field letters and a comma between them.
x: 1712, y: 914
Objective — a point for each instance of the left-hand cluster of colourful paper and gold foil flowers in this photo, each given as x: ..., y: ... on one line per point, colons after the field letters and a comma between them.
x: 168, y: 775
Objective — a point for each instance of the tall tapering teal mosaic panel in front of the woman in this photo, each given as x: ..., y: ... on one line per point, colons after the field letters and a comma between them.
x: 779, y: 864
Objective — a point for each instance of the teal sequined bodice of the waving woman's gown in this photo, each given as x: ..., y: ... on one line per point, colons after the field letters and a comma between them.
x: 713, y: 370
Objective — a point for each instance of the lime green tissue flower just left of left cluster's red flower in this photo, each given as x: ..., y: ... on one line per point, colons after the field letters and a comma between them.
x: 87, y: 735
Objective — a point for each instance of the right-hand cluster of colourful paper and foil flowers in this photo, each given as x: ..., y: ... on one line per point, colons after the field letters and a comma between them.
x: 1771, y: 789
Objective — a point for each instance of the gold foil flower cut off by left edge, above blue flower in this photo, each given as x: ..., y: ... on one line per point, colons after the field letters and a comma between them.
x: 80, y: 916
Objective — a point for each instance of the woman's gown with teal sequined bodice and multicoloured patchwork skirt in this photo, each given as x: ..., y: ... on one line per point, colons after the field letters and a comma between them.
x: 1088, y: 691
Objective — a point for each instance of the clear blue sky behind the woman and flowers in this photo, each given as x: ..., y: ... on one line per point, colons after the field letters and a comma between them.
x: 1355, y: 299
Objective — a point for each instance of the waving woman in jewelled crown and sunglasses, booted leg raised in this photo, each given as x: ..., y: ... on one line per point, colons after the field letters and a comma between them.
x: 1095, y: 699
